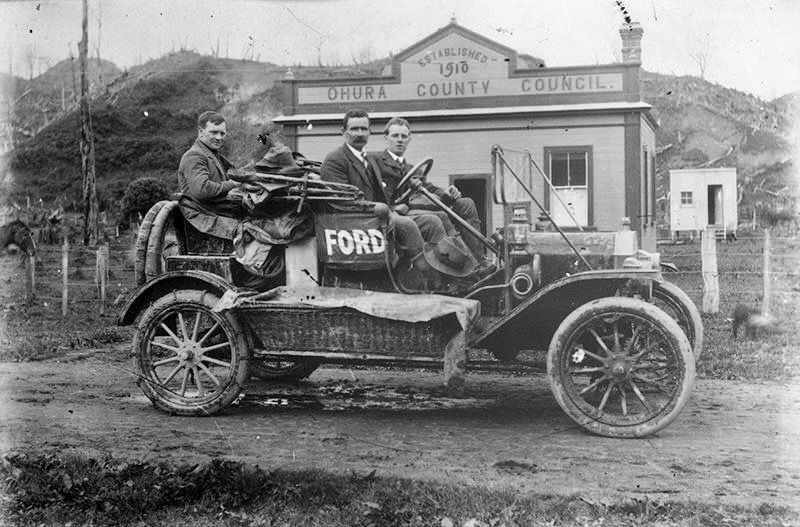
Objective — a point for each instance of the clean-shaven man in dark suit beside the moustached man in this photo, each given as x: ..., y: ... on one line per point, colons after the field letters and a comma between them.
x: 393, y: 166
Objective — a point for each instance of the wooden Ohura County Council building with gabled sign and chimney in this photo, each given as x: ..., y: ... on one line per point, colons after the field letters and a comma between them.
x: 585, y: 126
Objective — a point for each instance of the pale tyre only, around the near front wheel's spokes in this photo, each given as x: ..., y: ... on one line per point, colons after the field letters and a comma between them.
x: 575, y: 321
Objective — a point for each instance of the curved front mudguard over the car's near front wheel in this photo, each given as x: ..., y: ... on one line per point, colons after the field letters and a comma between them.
x: 533, y: 322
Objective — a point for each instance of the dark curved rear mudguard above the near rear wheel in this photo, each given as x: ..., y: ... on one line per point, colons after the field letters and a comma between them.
x: 165, y: 283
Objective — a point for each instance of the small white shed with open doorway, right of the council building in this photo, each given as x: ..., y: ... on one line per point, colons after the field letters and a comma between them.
x: 702, y: 197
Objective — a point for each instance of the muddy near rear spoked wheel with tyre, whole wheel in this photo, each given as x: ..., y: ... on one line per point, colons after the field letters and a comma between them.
x: 191, y: 360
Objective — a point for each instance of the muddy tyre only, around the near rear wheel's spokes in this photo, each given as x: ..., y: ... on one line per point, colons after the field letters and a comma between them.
x: 172, y: 402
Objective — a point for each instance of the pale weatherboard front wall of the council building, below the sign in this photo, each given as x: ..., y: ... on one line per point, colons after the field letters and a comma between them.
x: 465, y: 152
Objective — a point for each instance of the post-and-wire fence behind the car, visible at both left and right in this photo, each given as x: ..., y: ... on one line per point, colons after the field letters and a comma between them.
x: 101, y: 276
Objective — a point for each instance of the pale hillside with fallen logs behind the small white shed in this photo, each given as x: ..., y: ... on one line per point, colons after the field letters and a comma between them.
x: 707, y: 125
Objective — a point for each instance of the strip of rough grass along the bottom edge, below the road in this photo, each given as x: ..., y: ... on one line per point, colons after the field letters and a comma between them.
x: 50, y: 489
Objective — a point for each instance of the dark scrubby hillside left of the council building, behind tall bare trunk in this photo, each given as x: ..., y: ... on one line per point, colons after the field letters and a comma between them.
x: 143, y: 120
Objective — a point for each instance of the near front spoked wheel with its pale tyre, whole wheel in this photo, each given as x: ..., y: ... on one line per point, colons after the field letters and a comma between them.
x: 620, y: 367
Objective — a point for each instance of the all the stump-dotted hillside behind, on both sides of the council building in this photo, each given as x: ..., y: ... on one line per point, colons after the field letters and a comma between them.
x: 144, y: 119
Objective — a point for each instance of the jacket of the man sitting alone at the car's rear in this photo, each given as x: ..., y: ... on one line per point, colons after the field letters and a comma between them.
x: 202, y: 175
